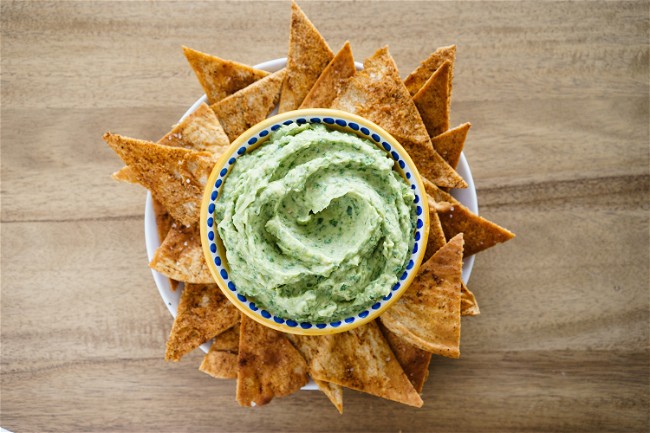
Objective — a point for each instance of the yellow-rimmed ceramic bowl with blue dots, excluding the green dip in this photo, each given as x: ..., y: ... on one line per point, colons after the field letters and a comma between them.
x: 255, y: 137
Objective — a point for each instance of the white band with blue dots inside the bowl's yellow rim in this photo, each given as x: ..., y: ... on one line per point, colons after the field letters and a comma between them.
x: 258, y: 139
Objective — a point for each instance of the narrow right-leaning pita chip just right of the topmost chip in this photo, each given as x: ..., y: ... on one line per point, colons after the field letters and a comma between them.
x: 331, y: 81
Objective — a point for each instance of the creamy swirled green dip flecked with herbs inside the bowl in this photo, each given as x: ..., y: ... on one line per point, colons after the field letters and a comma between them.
x: 316, y: 224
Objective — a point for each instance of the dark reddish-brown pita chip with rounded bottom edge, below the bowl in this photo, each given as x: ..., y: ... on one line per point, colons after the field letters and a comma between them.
x: 269, y: 365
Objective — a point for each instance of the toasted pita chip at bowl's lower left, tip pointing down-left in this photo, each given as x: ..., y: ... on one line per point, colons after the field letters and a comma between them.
x: 203, y: 312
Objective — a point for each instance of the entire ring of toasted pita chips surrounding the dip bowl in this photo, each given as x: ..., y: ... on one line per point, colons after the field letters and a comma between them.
x: 389, y: 357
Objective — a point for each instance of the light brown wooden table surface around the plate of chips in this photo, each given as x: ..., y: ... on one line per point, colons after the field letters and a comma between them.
x: 557, y: 93
